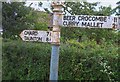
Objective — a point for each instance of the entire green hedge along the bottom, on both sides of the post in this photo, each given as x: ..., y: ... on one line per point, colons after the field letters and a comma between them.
x: 78, y: 61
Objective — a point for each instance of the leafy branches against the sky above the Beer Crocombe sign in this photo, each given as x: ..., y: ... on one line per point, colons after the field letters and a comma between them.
x: 86, y: 8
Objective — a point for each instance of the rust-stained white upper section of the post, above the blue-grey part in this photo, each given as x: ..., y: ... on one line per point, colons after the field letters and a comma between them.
x: 57, y: 11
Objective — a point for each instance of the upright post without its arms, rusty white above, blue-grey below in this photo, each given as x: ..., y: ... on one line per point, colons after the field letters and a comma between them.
x: 55, y: 41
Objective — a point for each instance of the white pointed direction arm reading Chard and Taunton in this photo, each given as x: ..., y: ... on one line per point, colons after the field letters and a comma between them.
x: 35, y: 35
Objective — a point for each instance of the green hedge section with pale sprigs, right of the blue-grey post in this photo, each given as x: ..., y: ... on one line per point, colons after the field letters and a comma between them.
x: 89, y: 61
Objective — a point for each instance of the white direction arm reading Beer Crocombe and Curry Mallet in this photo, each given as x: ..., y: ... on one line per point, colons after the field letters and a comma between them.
x: 89, y: 21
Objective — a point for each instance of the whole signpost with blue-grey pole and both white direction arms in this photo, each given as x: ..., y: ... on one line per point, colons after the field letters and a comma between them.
x: 53, y: 37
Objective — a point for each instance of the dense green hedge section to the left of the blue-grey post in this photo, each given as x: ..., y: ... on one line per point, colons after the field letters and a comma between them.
x: 25, y: 61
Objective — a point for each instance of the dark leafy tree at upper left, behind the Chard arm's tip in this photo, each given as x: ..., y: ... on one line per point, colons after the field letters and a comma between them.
x: 16, y: 17
